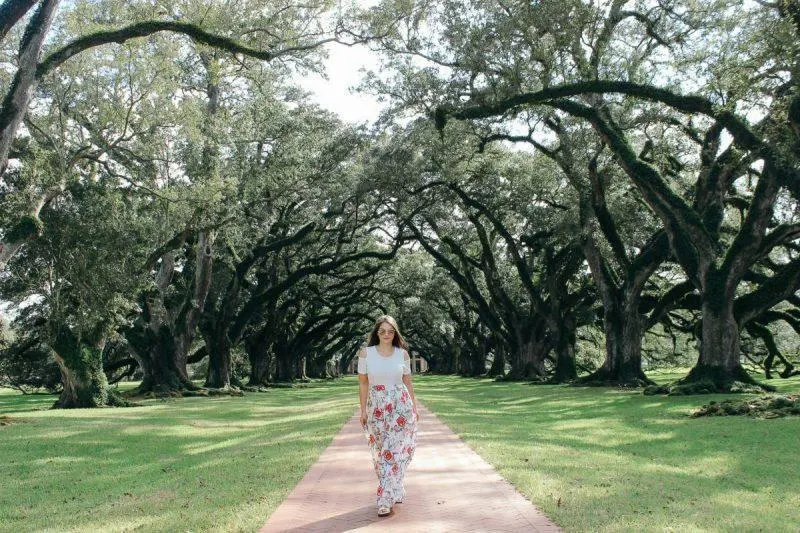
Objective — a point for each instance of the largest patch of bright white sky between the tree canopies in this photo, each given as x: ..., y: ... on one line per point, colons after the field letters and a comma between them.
x: 337, y: 93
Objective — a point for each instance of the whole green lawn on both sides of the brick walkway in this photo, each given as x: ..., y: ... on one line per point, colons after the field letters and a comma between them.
x: 592, y: 459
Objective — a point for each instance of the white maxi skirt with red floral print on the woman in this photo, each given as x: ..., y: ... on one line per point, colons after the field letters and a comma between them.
x: 392, y: 434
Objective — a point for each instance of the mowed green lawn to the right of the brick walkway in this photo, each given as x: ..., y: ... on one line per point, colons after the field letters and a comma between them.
x: 596, y: 459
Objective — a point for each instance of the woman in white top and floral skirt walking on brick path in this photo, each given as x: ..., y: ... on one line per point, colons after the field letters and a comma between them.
x: 388, y: 409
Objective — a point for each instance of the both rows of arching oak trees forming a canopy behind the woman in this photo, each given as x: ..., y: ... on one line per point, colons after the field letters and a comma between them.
x: 175, y: 200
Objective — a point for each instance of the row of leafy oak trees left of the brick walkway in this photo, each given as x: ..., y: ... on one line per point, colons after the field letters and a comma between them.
x: 176, y: 199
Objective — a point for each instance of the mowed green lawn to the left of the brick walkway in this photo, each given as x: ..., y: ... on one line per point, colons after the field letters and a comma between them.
x: 191, y: 464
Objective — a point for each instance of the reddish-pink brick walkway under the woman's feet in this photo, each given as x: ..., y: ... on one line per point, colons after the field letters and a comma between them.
x: 449, y: 488
